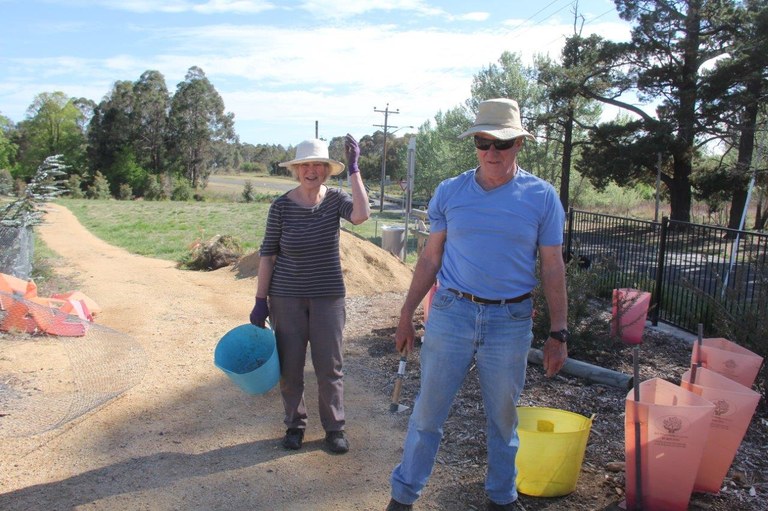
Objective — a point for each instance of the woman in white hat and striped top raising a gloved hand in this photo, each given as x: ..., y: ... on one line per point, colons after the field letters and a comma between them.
x: 300, y: 272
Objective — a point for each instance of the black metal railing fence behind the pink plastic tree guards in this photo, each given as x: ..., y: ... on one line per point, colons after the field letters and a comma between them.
x: 687, y: 267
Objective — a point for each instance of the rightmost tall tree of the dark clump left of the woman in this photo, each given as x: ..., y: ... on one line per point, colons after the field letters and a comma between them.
x: 197, y: 121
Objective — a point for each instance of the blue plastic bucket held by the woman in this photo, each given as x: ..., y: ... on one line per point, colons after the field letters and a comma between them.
x: 248, y: 356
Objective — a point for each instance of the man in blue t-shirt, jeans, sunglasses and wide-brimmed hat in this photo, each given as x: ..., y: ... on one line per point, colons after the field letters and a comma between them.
x: 487, y: 227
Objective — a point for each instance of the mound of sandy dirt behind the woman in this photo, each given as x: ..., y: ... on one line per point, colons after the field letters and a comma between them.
x: 368, y: 270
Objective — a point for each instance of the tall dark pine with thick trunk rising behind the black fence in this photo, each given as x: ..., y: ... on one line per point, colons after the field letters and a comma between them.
x: 661, y: 66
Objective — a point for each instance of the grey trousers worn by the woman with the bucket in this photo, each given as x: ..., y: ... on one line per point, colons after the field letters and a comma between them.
x: 318, y: 322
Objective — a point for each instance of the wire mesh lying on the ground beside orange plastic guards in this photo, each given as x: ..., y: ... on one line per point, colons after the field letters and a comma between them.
x: 47, y: 380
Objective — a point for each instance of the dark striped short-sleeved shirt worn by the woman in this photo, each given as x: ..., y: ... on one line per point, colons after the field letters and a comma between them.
x: 306, y: 243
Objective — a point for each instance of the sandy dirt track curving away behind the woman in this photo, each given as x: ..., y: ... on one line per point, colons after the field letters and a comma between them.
x: 186, y: 438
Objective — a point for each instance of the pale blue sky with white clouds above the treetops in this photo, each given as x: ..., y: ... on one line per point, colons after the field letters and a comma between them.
x: 287, y: 70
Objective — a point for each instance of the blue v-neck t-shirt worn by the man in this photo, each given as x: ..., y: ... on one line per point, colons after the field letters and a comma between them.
x: 493, y: 236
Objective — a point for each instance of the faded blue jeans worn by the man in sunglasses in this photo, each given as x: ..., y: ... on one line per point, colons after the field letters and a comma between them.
x: 459, y: 332
